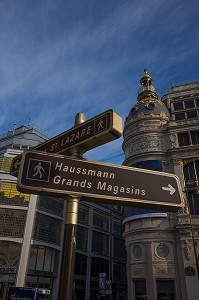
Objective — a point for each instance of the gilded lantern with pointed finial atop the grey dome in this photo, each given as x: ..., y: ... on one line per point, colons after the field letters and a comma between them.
x: 147, y: 92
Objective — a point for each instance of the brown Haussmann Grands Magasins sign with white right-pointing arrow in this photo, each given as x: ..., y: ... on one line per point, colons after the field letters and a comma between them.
x: 53, y: 174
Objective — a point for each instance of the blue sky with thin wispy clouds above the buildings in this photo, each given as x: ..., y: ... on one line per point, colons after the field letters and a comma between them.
x: 60, y: 57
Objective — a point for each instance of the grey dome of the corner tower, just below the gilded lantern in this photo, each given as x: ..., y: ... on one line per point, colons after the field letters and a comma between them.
x: 145, y: 108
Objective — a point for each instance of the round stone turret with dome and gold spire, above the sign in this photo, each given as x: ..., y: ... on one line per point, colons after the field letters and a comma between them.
x: 145, y: 126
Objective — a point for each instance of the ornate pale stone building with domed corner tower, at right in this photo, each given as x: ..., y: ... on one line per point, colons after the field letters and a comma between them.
x: 163, y: 248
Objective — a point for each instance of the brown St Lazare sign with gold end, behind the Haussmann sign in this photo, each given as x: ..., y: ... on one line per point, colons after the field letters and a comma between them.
x: 95, y: 132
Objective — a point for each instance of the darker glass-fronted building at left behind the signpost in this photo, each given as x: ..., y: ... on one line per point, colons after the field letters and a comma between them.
x: 32, y: 227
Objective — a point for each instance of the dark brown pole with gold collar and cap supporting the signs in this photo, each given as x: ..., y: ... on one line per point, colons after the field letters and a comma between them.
x: 69, y: 245
